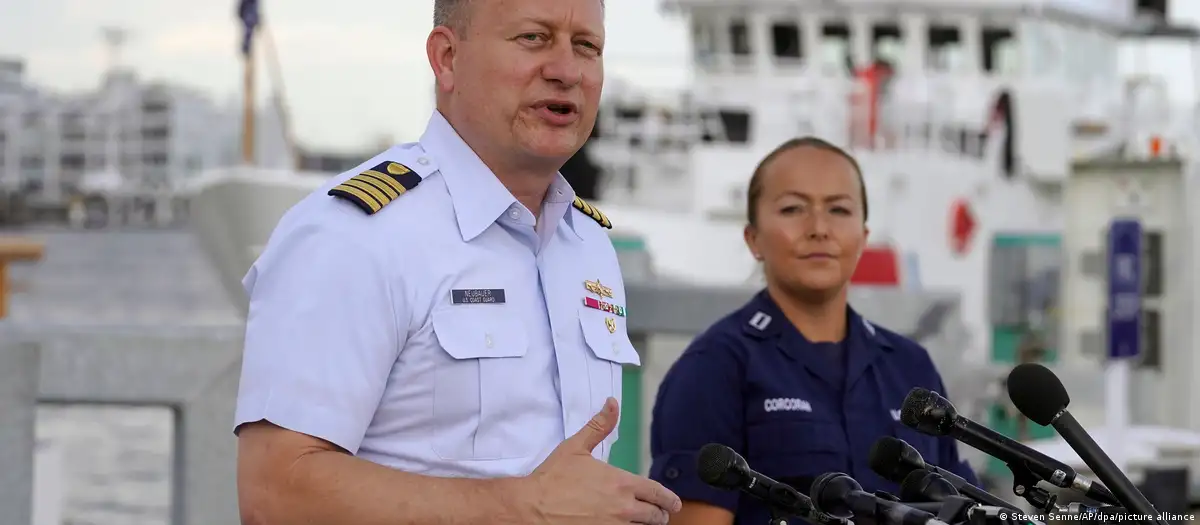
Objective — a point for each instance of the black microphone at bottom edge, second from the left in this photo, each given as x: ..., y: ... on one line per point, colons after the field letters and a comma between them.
x: 842, y: 497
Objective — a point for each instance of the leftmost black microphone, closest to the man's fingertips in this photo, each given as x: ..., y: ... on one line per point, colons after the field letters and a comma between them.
x: 725, y: 469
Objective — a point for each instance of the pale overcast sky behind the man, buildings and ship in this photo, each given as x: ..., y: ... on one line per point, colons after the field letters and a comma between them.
x: 355, y: 75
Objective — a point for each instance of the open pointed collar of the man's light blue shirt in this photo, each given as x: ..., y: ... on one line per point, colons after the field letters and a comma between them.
x: 478, y: 196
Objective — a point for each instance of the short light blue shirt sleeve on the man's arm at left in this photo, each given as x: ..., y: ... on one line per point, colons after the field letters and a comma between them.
x: 322, y: 335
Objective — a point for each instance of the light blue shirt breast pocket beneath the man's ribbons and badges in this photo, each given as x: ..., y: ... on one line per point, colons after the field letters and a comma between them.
x: 610, y: 352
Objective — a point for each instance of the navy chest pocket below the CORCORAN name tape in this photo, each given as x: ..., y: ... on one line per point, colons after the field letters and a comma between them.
x: 796, y: 450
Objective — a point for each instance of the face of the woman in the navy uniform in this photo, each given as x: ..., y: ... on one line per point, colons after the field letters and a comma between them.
x: 811, y: 230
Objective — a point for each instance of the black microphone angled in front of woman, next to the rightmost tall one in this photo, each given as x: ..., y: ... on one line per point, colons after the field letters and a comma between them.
x: 932, y: 414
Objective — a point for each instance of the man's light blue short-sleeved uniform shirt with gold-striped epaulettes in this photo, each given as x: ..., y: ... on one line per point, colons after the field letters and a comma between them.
x: 443, y: 334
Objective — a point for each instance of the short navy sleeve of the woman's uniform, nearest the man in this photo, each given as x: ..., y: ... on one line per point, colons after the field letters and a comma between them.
x: 699, y: 403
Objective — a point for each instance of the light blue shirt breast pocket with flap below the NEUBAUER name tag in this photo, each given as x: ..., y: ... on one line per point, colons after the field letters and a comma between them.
x: 481, y: 384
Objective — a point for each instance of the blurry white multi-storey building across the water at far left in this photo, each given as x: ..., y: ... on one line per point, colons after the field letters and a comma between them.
x: 127, y: 135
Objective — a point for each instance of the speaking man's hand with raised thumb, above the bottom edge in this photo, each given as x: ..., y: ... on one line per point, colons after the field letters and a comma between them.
x: 573, y: 487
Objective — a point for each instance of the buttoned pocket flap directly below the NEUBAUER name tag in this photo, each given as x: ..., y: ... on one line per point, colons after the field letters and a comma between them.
x: 471, y: 333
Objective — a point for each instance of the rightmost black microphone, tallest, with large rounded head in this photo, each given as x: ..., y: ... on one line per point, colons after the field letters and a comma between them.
x: 1041, y: 397
